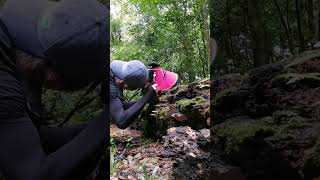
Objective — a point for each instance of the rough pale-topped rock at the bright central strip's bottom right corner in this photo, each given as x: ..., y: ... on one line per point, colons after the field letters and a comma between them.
x: 181, y: 144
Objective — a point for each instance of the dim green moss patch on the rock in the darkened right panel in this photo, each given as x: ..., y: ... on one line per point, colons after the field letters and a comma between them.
x: 282, y: 125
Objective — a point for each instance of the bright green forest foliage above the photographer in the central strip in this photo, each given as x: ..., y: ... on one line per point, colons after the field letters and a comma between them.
x: 172, y: 33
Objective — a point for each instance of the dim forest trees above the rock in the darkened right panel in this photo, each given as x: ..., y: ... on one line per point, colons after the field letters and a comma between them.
x: 252, y: 33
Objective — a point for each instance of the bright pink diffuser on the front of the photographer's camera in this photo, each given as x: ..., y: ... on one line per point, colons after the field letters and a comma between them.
x: 165, y: 79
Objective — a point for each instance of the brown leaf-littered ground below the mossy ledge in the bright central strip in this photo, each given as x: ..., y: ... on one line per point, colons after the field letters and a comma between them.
x: 162, y: 159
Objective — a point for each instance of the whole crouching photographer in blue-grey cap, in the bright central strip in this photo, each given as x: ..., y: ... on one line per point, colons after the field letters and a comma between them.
x: 130, y: 75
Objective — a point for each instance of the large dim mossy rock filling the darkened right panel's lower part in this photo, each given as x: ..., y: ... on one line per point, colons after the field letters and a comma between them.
x: 268, y: 124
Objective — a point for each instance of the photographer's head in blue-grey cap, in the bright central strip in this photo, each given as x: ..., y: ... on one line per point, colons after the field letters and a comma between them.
x: 129, y: 75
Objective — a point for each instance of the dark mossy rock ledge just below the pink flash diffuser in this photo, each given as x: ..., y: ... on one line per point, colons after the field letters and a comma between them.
x: 184, y: 105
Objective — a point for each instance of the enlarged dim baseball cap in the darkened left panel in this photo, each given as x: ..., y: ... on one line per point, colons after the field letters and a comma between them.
x: 73, y: 35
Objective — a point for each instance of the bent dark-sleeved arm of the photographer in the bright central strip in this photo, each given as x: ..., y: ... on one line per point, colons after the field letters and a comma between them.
x: 123, y: 117
